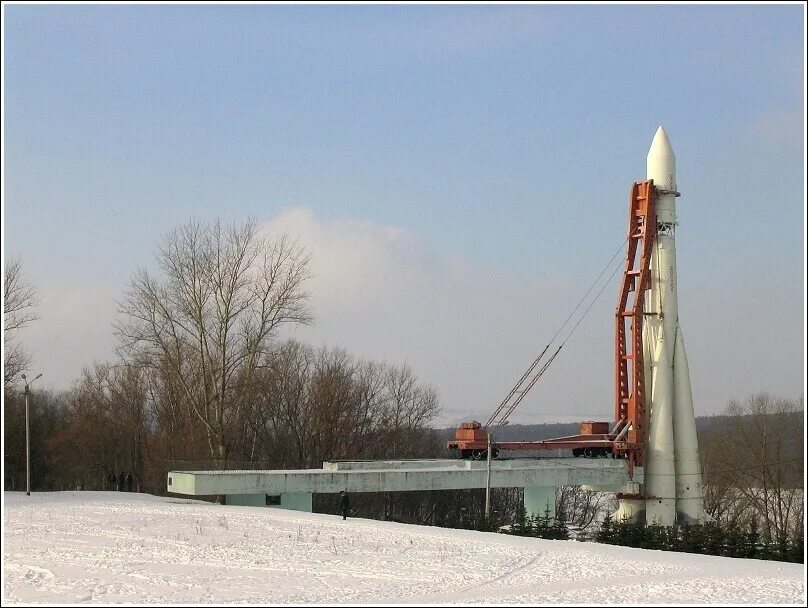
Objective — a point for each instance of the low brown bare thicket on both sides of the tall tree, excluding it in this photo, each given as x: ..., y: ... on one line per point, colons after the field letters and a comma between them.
x: 310, y: 405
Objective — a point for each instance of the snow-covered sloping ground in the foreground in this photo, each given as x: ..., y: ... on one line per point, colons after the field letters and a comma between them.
x: 104, y: 547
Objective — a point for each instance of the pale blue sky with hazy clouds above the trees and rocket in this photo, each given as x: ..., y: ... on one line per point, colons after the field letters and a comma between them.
x: 460, y: 175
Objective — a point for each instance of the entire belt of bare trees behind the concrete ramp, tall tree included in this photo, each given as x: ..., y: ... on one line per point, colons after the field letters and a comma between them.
x: 202, y: 380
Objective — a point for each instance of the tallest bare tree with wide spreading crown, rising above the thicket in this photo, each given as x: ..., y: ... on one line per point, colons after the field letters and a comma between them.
x: 206, y: 322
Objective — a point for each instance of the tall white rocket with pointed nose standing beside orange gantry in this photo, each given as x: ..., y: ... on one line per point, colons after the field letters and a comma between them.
x: 673, y: 485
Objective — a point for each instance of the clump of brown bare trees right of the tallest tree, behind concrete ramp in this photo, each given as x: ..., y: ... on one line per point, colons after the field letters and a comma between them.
x: 314, y: 404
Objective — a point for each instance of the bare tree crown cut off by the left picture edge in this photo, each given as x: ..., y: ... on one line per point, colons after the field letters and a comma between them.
x: 20, y: 299
